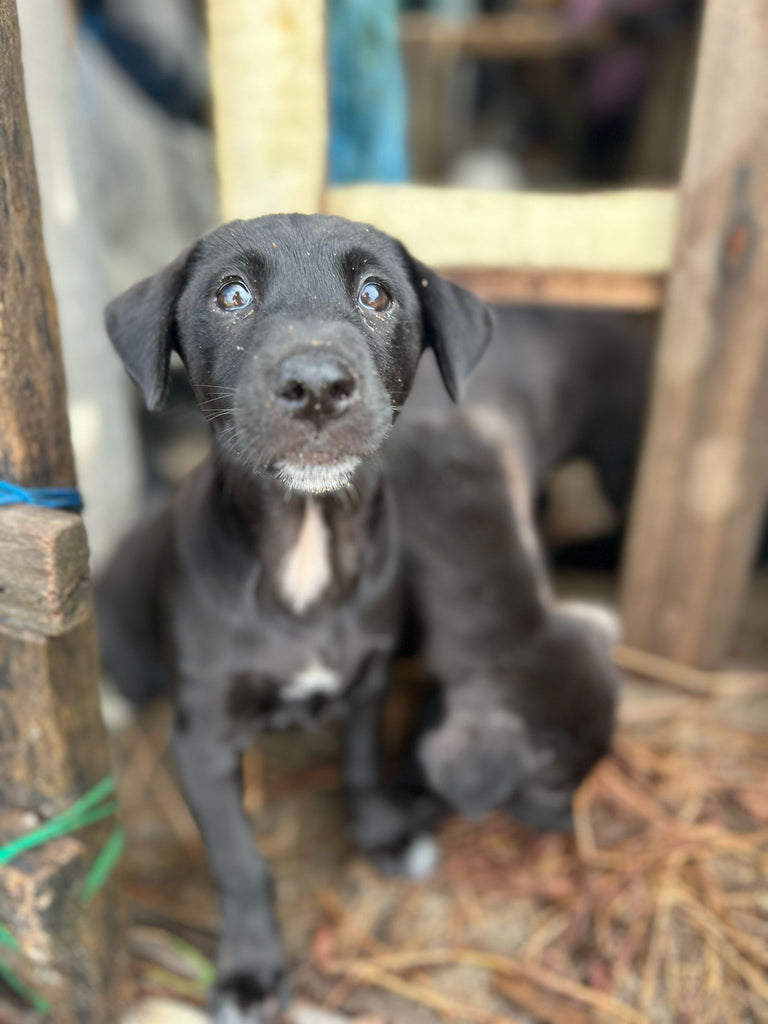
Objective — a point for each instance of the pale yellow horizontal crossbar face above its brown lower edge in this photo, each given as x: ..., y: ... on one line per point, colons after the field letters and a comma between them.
x: 628, y: 232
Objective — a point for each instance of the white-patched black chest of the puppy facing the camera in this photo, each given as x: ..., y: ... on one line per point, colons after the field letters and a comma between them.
x: 289, y: 639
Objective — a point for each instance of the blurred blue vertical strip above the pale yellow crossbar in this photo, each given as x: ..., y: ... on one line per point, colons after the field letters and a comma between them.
x: 369, y: 106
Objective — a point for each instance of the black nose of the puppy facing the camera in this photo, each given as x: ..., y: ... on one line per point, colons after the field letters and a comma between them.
x: 314, y: 387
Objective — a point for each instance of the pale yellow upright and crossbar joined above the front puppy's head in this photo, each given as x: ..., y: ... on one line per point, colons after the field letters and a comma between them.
x: 594, y: 249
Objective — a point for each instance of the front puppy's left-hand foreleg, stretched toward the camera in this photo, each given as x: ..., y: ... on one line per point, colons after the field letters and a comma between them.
x: 251, y: 988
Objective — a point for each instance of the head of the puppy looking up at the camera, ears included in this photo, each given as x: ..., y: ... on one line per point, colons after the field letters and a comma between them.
x: 301, y: 336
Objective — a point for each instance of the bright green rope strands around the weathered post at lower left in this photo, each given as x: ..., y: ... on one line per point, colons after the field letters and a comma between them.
x: 95, y: 806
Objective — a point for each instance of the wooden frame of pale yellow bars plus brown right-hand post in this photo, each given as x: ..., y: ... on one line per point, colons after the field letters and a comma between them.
x: 604, y: 249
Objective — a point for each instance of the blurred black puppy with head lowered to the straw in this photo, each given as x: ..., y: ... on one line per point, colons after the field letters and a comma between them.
x: 528, y: 688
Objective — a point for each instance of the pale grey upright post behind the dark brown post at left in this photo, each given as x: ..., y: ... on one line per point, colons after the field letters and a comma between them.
x: 102, y: 411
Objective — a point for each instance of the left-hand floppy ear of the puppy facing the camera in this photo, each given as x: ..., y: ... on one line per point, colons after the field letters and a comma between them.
x: 141, y: 324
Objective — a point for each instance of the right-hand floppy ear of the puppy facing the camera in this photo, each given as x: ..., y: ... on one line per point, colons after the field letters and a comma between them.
x: 457, y: 326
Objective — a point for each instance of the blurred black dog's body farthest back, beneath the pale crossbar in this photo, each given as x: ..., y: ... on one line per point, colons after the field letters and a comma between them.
x: 570, y: 383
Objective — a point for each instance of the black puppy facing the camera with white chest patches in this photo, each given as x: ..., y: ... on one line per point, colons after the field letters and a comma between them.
x: 268, y: 592
